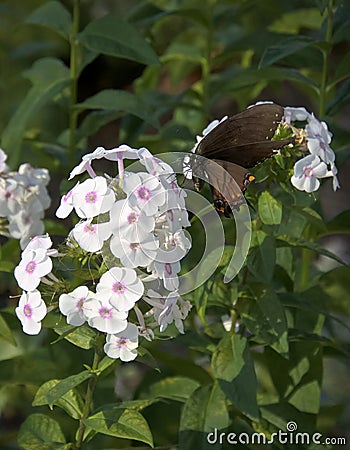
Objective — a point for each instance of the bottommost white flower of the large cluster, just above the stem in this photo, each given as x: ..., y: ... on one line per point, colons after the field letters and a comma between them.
x: 124, y: 344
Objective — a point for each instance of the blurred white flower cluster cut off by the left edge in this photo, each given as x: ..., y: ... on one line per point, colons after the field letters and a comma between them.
x: 23, y: 200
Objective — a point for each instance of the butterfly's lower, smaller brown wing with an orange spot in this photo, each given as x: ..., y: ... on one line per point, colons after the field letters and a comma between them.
x: 231, y: 185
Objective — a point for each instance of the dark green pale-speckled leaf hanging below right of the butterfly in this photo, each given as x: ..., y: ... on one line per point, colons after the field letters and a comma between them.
x: 263, y: 315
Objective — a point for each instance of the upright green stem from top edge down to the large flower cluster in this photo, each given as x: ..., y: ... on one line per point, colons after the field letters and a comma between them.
x: 73, y: 114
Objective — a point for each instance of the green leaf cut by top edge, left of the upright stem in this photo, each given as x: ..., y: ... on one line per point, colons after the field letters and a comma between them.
x: 54, y: 16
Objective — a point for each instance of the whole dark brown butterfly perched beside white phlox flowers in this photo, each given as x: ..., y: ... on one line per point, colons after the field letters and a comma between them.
x: 235, y: 145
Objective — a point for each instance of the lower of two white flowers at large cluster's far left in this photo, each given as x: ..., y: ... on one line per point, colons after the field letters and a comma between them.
x: 31, y: 310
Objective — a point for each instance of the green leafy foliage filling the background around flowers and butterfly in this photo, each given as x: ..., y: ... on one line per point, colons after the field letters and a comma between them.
x: 75, y: 75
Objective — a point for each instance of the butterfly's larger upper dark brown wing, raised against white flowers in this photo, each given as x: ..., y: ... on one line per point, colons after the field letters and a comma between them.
x: 245, y: 138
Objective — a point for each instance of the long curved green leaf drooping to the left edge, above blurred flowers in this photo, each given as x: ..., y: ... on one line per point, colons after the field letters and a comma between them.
x: 49, y: 77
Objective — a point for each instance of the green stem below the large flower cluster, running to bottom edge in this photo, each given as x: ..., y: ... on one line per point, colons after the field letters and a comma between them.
x: 89, y: 393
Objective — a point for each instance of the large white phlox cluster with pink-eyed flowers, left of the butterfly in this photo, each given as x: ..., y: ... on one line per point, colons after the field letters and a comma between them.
x: 135, y: 223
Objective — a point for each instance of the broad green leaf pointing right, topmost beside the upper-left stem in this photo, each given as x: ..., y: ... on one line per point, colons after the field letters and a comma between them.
x: 113, y: 36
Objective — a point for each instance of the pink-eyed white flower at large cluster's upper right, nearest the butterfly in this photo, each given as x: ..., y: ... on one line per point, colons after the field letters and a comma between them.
x: 145, y: 192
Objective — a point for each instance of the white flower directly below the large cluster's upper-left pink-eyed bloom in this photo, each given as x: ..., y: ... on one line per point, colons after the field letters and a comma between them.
x: 91, y: 236
